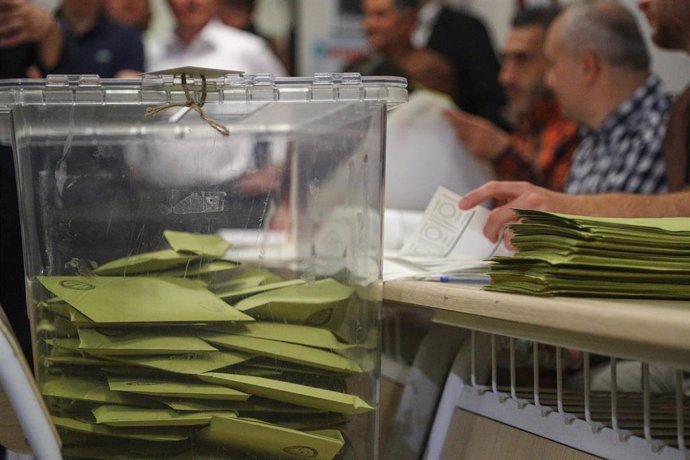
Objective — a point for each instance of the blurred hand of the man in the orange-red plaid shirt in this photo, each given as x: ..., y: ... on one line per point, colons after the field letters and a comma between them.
x: 481, y: 137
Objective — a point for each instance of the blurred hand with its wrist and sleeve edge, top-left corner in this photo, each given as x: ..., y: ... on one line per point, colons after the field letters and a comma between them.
x: 22, y: 22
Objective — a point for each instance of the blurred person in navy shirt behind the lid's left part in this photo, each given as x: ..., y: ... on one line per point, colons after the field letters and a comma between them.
x: 96, y: 44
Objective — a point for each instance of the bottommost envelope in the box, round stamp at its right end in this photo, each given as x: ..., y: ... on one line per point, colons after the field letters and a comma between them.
x: 265, y: 438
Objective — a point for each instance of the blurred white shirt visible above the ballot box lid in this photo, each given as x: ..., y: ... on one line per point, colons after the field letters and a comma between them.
x: 217, y: 46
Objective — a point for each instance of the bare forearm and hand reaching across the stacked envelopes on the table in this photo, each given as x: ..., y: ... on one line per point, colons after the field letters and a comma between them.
x: 523, y: 195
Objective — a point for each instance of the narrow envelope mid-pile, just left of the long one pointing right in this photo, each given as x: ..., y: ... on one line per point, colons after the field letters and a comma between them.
x: 150, y: 387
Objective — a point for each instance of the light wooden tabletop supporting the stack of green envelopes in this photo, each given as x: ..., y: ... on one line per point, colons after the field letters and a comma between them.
x: 646, y: 330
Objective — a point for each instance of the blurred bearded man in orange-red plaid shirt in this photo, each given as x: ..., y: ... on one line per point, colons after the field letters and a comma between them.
x: 542, y: 143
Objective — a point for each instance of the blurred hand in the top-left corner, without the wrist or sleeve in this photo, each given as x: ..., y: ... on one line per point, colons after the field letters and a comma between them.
x: 22, y: 22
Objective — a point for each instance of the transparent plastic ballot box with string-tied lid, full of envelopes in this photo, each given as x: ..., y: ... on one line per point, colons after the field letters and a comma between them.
x: 203, y: 260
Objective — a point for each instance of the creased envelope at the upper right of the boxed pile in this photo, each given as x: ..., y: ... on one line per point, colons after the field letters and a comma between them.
x: 296, y: 304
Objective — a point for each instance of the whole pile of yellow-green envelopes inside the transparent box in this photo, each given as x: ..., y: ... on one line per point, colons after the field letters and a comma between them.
x: 154, y: 350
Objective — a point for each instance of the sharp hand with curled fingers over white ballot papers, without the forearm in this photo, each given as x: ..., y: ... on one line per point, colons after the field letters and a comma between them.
x: 509, y: 196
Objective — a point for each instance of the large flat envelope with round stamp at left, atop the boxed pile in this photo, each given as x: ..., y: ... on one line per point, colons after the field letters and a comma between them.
x: 132, y: 300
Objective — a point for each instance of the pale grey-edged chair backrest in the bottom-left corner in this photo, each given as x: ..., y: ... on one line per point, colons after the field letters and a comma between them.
x: 25, y: 425
